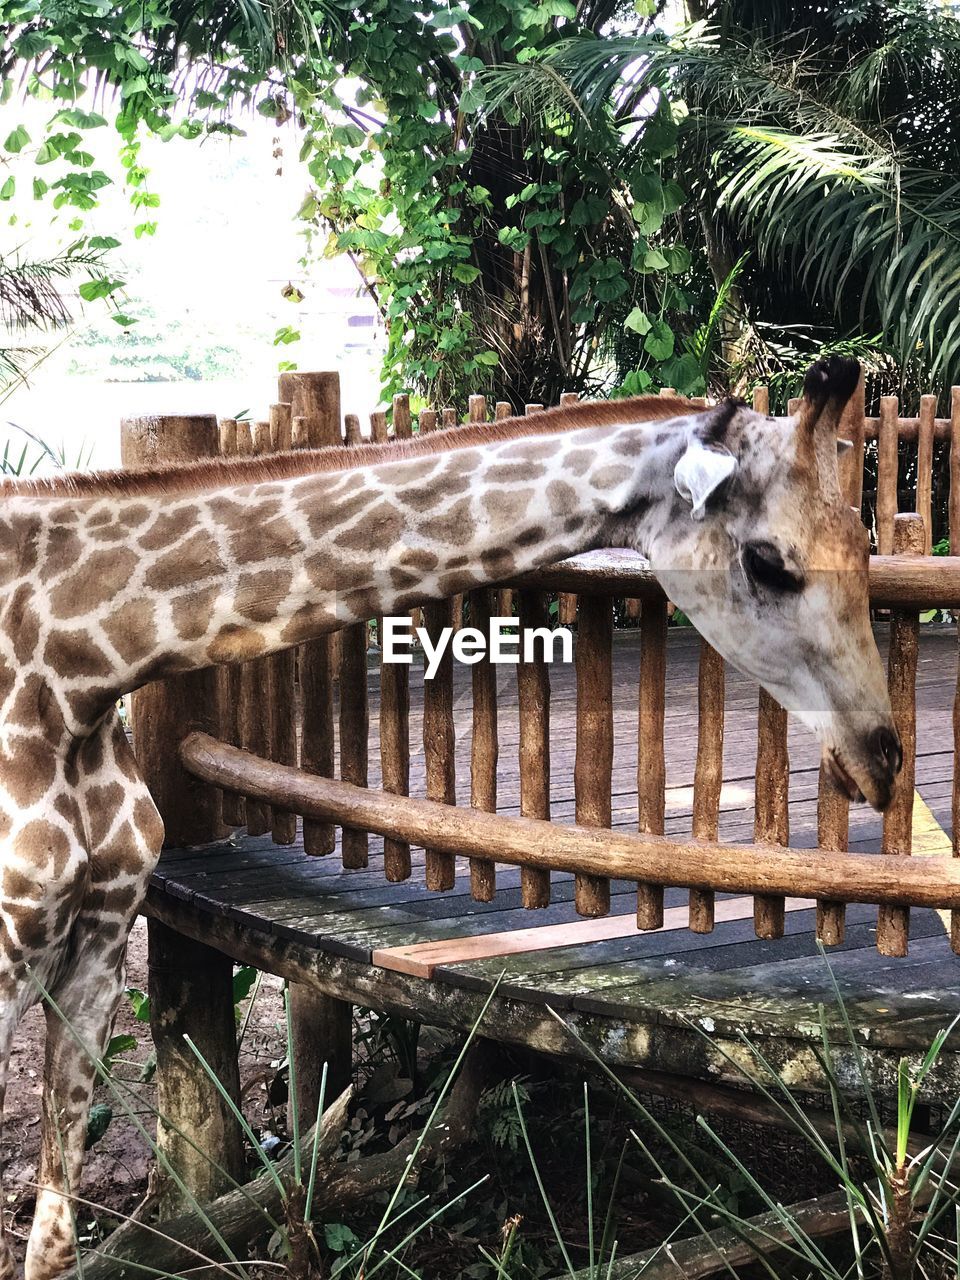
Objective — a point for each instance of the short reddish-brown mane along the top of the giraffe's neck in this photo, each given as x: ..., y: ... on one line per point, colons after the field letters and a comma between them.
x: 208, y: 474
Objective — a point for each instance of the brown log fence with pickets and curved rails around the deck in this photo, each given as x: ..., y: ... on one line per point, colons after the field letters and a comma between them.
x: 268, y: 778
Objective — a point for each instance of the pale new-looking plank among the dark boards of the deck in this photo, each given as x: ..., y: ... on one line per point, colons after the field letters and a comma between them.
x: 423, y: 958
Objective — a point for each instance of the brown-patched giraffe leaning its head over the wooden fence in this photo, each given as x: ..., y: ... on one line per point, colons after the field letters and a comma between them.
x: 117, y: 579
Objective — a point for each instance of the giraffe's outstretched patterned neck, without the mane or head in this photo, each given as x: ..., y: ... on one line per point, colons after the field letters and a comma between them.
x: 107, y: 593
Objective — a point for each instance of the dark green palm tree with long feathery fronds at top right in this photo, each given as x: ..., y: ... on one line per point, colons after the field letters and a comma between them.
x: 822, y: 140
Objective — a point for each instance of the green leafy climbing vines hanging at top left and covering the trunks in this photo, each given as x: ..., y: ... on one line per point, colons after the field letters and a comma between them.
x: 505, y: 253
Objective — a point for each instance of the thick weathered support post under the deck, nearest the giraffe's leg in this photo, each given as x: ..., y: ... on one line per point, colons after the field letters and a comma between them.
x: 191, y: 994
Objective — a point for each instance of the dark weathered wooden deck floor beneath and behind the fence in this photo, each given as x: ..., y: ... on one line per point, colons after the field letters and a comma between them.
x: 671, y: 1000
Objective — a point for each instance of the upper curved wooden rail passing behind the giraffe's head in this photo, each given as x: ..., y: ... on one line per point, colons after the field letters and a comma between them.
x: 897, y: 582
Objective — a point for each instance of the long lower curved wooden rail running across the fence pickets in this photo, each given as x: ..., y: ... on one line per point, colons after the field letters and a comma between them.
x: 765, y: 870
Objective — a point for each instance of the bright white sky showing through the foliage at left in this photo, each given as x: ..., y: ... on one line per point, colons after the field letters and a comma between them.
x: 227, y: 244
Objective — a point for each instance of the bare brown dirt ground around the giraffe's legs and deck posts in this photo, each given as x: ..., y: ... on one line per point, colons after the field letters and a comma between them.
x: 117, y: 1167
